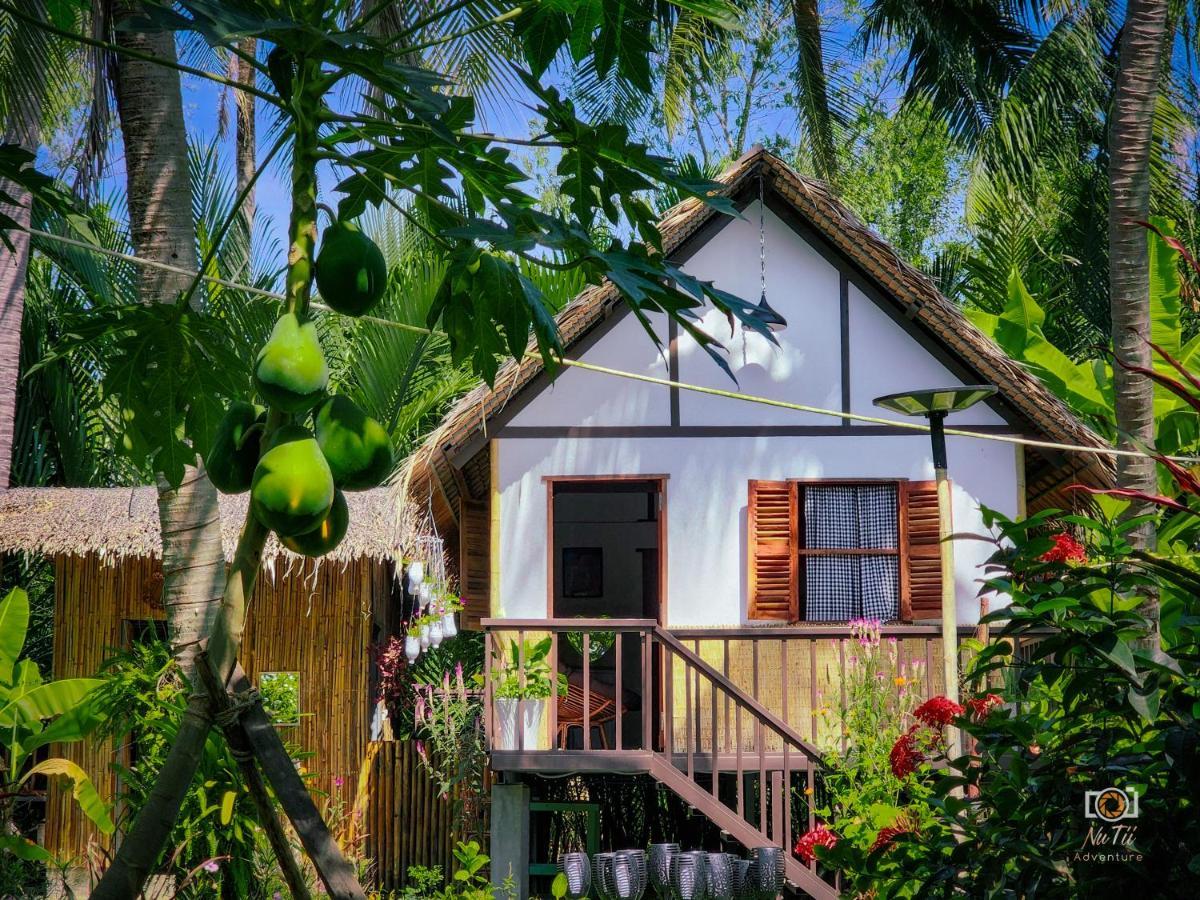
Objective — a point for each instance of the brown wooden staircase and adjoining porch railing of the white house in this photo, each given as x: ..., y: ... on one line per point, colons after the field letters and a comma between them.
x: 707, y: 741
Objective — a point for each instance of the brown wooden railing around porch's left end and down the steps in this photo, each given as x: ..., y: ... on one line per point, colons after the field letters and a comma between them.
x: 694, y: 729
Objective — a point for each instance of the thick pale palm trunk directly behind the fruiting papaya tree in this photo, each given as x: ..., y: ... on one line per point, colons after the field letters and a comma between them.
x: 160, y: 199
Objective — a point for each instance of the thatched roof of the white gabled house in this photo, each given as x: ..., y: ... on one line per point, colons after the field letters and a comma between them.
x: 866, y: 250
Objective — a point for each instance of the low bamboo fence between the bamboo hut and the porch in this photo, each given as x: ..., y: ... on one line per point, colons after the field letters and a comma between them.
x: 407, y: 823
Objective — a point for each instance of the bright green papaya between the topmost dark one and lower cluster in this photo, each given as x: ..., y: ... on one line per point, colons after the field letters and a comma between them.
x: 291, y: 370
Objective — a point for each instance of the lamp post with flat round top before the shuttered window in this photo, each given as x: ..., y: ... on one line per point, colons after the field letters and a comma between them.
x: 935, y: 405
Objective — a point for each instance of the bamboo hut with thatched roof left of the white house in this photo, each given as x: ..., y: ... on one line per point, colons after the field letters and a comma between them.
x: 316, y: 620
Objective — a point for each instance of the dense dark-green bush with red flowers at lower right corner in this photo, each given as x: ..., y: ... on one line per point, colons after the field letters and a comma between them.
x: 1089, y: 705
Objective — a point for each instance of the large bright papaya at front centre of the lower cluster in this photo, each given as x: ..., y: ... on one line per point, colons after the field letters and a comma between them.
x: 293, y: 488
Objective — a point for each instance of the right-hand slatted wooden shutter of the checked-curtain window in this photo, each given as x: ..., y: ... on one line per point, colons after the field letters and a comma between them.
x: 921, y: 578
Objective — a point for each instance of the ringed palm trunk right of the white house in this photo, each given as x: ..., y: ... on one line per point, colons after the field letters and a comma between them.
x: 1131, y: 127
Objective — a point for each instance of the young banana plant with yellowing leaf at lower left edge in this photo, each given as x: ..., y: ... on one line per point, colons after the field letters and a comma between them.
x: 35, y: 713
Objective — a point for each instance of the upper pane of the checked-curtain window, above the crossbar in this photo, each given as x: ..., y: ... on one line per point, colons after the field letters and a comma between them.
x: 850, y: 518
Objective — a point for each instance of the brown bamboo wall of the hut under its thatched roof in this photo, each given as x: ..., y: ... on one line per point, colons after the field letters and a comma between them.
x: 316, y: 621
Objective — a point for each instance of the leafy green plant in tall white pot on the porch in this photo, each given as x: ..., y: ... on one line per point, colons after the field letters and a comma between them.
x: 521, y: 693
